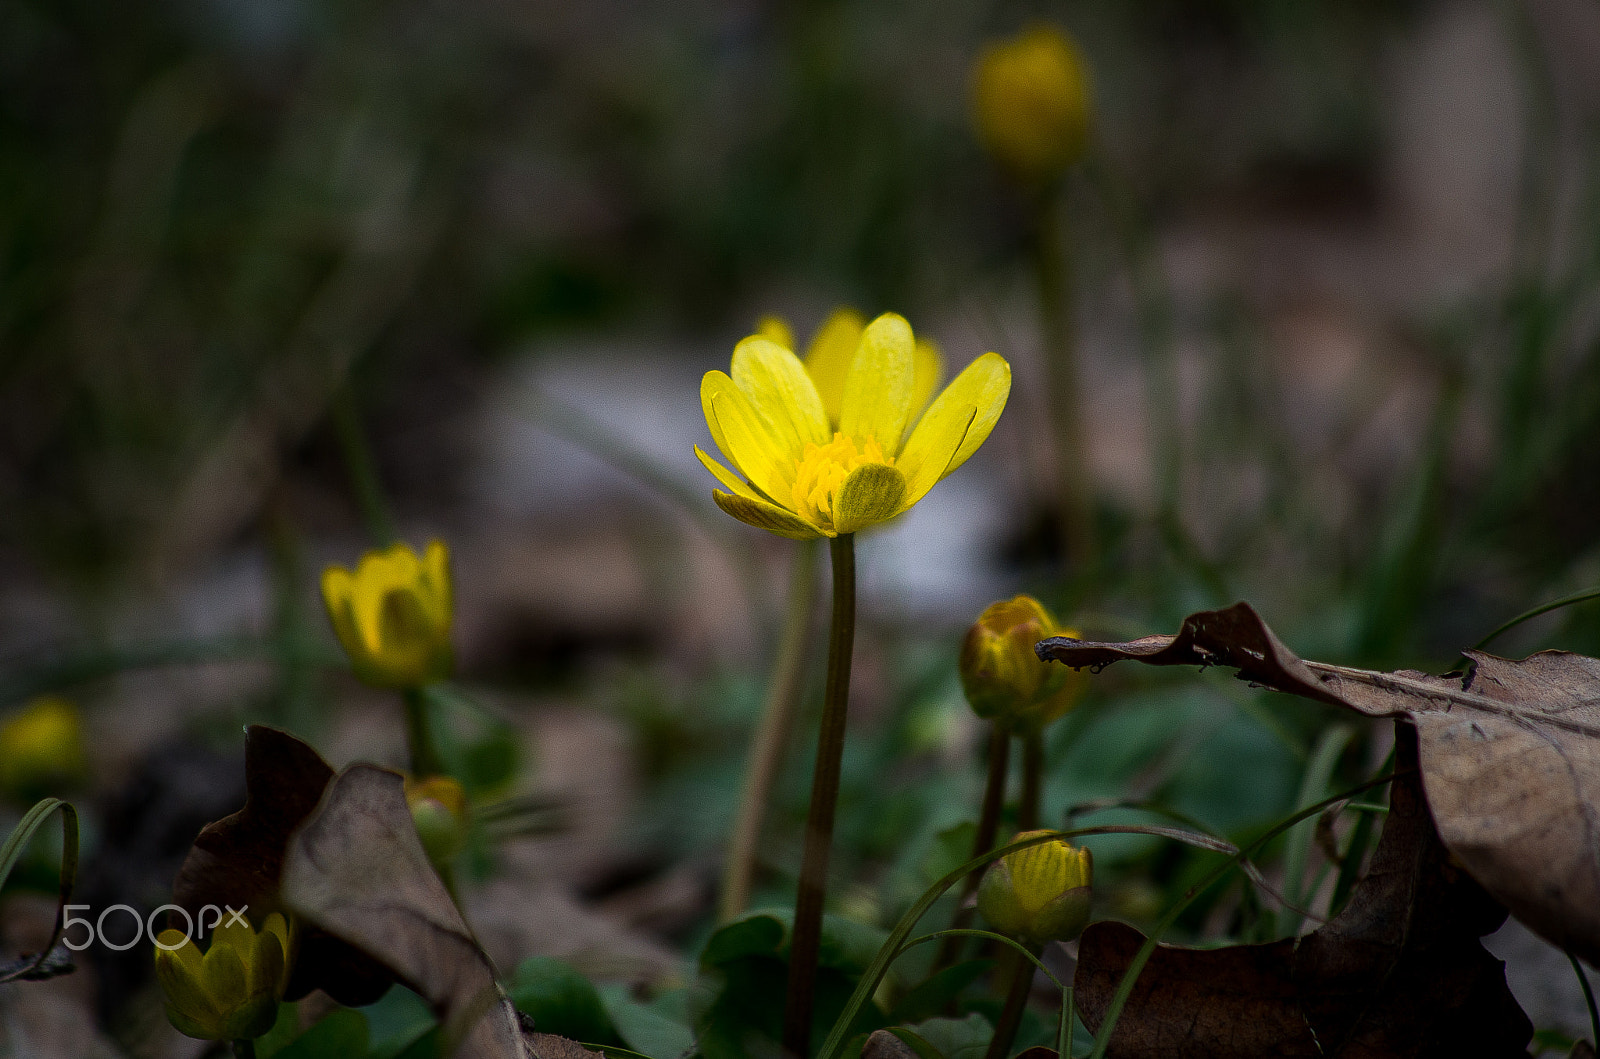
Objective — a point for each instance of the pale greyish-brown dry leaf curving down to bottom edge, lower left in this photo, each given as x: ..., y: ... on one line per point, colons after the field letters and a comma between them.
x: 359, y: 873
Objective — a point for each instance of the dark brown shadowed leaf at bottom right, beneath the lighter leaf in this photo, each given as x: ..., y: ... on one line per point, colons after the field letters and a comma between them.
x: 1399, y: 973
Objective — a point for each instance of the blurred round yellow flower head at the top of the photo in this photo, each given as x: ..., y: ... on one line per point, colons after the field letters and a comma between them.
x: 1031, y: 102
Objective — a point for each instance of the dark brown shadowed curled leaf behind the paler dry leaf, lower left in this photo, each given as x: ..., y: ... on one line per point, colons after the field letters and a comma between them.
x: 239, y: 860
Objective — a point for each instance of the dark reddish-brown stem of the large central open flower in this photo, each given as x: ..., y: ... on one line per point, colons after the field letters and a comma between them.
x: 825, y: 799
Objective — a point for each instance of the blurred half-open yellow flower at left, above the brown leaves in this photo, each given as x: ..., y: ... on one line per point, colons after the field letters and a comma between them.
x: 393, y: 615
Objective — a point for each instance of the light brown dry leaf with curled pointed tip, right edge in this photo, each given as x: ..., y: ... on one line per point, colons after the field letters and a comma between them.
x: 1511, y: 754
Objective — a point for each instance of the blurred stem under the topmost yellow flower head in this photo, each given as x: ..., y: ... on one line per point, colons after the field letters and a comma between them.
x: 1054, y: 273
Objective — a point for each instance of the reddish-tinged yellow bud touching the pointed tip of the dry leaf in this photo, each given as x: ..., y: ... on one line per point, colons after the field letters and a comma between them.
x: 1006, y: 679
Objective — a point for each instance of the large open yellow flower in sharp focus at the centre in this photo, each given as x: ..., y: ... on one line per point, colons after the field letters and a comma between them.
x: 802, y: 471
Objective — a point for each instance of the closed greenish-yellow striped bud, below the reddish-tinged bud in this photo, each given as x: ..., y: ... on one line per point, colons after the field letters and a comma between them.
x: 1041, y: 893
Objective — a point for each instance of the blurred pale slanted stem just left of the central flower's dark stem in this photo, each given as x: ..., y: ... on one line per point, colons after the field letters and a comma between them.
x: 772, y: 737
